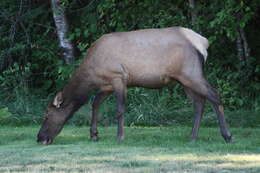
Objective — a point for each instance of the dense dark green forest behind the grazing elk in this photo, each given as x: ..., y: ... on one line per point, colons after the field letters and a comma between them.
x: 33, y: 67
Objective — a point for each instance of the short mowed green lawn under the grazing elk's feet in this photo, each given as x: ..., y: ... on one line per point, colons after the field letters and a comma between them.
x: 151, y: 149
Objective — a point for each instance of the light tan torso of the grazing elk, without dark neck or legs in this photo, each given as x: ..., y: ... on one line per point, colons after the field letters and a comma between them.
x: 146, y: 58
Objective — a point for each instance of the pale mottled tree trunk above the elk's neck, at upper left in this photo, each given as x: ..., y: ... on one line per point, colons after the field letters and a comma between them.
x: 62, y: 28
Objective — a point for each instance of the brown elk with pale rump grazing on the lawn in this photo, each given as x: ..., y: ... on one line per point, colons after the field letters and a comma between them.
x: 149, y: 58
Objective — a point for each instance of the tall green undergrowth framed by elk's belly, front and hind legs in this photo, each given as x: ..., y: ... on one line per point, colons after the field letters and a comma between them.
x: 155, y: 107
